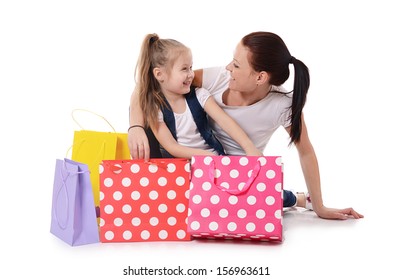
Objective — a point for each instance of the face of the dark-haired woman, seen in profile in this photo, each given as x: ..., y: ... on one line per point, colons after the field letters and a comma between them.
x: 243, y: 77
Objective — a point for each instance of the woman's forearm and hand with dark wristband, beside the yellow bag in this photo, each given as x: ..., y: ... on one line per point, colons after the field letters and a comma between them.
x: 137, y: 139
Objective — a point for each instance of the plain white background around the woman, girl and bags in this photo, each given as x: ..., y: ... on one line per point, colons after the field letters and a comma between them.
x: 56, y: 56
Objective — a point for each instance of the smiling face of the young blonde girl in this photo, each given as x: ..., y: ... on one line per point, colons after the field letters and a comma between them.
x: 178, y: 79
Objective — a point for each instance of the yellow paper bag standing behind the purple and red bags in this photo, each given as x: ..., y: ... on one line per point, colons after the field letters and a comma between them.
x: 91, y: 147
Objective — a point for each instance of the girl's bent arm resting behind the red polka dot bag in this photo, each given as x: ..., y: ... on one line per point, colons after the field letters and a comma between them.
x: 169, y: 143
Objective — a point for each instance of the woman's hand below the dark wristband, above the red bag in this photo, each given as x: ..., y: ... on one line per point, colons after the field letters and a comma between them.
x: 138, y: 143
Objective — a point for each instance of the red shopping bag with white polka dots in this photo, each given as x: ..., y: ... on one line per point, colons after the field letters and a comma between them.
x: 144, y: 201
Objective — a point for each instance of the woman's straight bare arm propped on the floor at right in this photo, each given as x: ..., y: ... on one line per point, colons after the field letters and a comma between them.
x: 310, y: 168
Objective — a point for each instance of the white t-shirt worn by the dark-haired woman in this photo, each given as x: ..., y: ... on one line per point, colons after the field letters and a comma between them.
x: 259, y: 120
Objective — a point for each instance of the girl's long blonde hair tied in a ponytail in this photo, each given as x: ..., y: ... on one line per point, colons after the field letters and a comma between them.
x: 155, y: 52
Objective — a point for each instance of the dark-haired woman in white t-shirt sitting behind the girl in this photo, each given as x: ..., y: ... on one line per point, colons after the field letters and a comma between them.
x: 250, y: 88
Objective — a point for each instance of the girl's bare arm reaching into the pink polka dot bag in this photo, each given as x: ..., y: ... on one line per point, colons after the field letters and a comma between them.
x: 231, y: 127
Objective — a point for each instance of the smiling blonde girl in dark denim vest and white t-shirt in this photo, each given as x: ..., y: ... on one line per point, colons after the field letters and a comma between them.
x: 175, y: 112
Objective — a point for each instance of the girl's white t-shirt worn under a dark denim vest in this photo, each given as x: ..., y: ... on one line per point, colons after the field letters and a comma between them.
x: 186, y: 130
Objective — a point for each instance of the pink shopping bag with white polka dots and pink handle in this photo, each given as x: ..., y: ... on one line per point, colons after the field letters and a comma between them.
x: 236, y: 197
